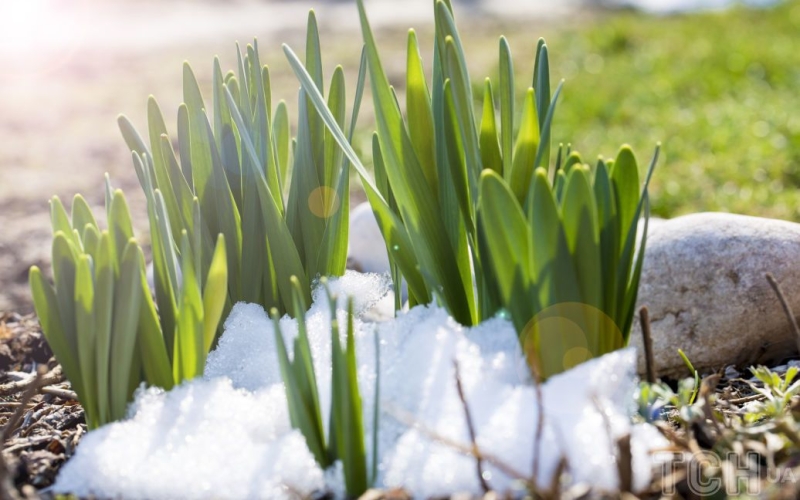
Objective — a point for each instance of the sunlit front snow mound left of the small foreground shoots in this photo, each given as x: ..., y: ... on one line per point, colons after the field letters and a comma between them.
x: 203, y: 439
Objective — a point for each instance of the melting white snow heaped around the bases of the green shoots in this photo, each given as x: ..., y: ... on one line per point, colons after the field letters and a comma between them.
x: 228, y: 435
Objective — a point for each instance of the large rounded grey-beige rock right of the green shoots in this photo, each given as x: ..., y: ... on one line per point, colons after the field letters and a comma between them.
x: 704, y: 283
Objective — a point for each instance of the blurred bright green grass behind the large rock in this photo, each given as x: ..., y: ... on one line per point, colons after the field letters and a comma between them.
x: 720, y: 90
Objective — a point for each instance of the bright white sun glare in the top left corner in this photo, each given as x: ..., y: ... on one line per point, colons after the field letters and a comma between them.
x: 37, y: 35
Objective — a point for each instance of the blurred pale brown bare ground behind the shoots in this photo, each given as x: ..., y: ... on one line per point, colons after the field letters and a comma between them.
x: 72, y: 69
